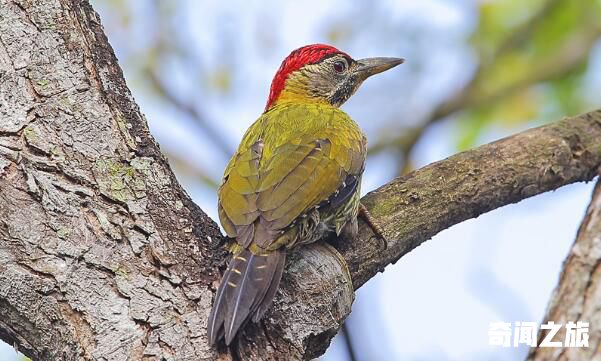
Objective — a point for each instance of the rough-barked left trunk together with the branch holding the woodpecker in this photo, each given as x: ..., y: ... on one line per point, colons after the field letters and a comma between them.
x: 104, y: 256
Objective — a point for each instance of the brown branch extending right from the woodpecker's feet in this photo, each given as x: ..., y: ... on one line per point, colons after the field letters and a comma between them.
x: 413, y: 208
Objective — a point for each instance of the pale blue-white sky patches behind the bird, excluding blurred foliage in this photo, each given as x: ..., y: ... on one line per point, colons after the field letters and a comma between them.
x: 438, y: 301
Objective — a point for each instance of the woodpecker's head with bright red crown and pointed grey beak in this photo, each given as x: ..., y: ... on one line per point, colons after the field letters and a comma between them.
x: 323, y: 73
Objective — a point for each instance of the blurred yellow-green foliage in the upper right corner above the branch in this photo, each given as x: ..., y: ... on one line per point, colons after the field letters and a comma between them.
x: 528, y: 63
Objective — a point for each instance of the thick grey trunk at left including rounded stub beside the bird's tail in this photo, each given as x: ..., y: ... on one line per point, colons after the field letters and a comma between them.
x: 102, y: 254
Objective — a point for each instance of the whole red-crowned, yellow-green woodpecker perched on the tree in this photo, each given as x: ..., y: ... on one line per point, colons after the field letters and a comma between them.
x: 294, y: 179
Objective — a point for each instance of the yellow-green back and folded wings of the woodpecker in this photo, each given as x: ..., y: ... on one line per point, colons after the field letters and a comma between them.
x: 285, y: 166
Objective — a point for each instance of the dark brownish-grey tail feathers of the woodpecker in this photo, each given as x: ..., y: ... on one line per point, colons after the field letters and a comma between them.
x: 246, y: 291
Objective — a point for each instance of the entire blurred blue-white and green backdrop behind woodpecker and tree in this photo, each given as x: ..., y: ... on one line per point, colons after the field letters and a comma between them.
x: 475, y: 71
